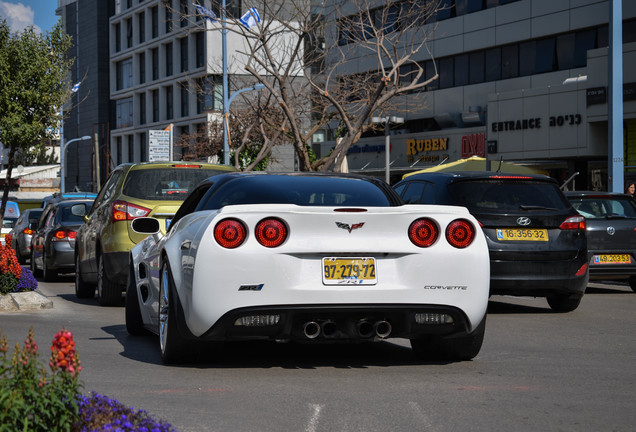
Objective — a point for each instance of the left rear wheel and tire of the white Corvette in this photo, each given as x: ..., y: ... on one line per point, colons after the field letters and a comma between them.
x: 173, y: 347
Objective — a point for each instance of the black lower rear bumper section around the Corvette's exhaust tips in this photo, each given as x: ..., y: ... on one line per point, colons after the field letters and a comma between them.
x: 320, y: 323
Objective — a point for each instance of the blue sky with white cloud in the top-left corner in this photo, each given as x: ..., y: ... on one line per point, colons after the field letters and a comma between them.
x: 20, y: 14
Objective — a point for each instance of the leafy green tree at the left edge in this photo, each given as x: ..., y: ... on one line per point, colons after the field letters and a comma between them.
x: 33, y: 88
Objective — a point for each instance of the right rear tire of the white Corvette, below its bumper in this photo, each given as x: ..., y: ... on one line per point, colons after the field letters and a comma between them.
x: 451, y: 348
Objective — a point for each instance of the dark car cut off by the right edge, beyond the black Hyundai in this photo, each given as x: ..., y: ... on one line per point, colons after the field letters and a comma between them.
x: 611, y: 233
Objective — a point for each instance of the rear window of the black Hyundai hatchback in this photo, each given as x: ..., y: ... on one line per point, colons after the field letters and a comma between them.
x: 495, y: 196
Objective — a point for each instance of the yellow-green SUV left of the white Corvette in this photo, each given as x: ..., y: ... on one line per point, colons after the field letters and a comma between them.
x: 154, y: 189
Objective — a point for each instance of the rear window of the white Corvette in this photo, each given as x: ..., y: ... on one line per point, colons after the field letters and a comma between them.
x: 299, y: 190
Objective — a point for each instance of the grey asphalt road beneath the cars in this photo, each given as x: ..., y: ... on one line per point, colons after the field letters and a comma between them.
x: 537, y: 371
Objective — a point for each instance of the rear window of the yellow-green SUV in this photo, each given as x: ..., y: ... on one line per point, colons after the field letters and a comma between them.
x: 164, y: 184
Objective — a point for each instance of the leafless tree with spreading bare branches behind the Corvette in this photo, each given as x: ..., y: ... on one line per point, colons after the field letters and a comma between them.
x: 305, y: 56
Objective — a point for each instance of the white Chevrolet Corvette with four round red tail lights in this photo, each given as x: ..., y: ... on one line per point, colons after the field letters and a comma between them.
x: 313, y: 258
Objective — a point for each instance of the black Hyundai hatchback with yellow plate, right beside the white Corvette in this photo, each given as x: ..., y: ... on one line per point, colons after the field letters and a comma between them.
x: 536, y: 239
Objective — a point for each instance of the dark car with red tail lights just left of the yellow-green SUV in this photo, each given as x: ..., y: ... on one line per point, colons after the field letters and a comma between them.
x: 53, y: 241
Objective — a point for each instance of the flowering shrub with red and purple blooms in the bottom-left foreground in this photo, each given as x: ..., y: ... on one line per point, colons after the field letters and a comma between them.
x: 31, y: 400
